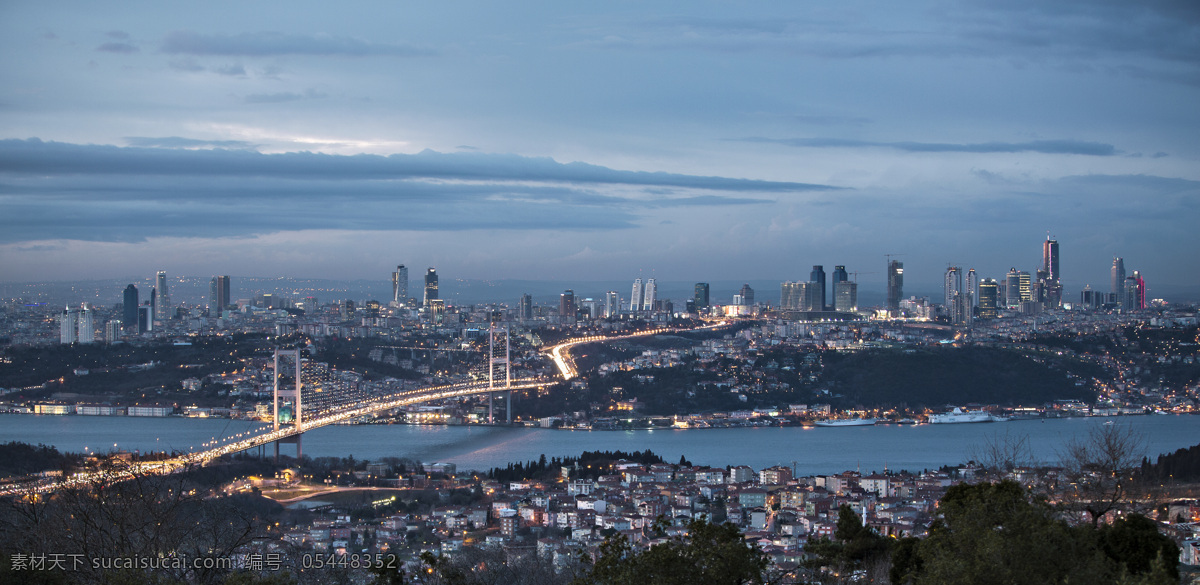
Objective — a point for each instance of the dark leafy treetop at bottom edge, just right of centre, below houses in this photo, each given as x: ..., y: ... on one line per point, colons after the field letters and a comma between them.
x: 711, y: 554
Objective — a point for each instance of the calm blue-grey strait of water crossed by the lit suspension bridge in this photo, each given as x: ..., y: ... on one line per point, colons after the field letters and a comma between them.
x: 813, y: 450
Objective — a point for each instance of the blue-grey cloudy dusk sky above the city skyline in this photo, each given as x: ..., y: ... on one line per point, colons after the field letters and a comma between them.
x: 555, y: 141
